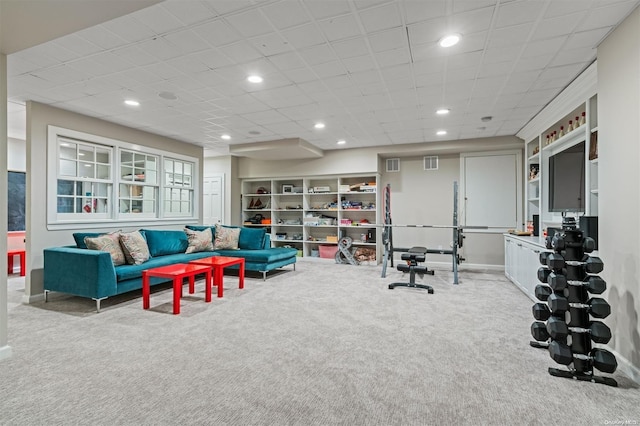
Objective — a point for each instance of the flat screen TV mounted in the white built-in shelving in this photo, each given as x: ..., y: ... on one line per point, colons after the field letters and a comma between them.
x: 566, y: 180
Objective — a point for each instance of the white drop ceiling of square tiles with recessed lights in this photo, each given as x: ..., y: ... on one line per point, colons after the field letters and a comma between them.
x: 370, y: 70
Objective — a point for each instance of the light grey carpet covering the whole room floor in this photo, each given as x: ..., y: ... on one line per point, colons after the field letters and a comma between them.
x: 326, y: 344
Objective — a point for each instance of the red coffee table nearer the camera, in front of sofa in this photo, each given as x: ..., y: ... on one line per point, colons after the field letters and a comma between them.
x: 177, y: 273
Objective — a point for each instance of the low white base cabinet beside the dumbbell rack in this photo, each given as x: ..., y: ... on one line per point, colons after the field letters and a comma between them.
x: 522, y: 261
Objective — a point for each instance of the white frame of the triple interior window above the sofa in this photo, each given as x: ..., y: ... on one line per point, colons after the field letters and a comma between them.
x: 113, y: 218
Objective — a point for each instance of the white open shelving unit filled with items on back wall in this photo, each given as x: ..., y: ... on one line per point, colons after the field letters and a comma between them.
x: 309, y: 212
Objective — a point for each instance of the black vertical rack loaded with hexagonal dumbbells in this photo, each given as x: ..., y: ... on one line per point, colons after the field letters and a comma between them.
x: 565, y: 324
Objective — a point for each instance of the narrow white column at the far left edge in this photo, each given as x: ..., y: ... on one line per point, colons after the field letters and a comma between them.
x: 5, y: 349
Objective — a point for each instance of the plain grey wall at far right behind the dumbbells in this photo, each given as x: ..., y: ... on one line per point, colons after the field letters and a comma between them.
x: 619, y: 183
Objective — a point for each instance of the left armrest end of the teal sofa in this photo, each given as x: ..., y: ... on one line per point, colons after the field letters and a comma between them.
x: 82, y: 272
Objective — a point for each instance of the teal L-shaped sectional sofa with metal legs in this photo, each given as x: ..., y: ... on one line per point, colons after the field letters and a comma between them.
x: 90, y: 273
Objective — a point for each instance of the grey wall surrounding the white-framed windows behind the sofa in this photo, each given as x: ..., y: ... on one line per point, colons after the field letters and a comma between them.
x: 39, y: 116
